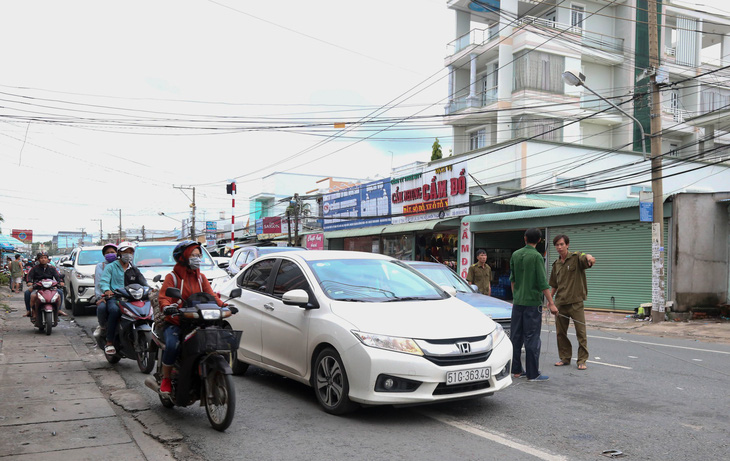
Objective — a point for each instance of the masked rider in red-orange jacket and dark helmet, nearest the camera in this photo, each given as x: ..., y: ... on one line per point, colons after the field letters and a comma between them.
x: 187, y: 277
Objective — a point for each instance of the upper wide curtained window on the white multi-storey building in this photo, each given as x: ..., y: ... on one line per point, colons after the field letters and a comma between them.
x: 535, y: 70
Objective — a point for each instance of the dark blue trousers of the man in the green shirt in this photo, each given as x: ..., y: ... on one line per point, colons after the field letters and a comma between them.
x: 525, y: 326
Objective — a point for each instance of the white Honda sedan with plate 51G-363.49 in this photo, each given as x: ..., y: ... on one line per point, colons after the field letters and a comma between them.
x: 364, y: 328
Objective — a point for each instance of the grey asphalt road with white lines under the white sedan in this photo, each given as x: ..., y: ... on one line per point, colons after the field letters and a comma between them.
x: 651, y: 398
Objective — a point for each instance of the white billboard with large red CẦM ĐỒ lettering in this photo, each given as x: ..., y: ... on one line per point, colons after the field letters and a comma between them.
x: 437, y: 193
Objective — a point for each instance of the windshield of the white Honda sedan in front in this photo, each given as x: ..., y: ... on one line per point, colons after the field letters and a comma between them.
x: 372, y: 280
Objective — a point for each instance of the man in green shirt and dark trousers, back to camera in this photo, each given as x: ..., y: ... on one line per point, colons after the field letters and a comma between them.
x: 529, y: 284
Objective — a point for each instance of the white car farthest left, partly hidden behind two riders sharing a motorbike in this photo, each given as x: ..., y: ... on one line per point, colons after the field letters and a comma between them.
x: 78, y: 270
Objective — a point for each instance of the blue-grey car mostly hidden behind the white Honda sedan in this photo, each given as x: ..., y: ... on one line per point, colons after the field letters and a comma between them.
x: 498, y: 310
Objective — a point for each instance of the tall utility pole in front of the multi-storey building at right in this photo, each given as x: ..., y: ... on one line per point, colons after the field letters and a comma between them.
x: 657, y: 225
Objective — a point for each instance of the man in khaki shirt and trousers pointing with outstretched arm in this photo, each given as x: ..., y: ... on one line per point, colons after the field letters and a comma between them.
x: 569, y: 288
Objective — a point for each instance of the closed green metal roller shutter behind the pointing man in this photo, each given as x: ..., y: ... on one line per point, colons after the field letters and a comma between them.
x: 621, y: 278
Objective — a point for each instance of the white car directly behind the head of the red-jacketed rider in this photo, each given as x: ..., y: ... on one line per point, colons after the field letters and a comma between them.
x: 153, y: 258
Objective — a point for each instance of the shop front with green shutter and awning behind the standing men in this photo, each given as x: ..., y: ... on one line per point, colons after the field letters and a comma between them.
x: 621, y: 280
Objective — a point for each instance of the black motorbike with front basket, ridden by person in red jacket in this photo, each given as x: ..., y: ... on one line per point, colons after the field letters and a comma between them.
x: 201, y: 371
